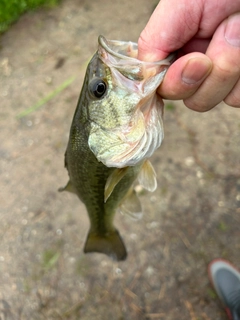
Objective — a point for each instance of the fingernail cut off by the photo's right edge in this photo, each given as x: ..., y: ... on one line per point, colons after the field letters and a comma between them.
x: 232, y: 31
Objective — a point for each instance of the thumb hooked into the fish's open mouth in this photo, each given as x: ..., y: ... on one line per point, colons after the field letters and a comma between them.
x: 172, y: 24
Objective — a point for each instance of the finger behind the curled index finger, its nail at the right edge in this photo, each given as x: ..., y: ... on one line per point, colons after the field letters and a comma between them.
x: 224, y: 51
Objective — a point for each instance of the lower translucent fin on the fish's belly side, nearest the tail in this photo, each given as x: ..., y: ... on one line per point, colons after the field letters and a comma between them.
x: 131, y: 205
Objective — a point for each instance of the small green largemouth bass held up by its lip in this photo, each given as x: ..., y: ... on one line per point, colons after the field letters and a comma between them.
x: 116, y: 127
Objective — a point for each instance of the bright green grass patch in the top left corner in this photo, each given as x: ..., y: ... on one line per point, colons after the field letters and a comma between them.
x: 11, y: 10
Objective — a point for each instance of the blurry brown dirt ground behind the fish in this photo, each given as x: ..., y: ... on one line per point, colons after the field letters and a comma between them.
x: 193, y: 216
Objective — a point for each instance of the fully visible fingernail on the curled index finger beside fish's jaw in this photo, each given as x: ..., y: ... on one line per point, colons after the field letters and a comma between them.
x: 196, y: 70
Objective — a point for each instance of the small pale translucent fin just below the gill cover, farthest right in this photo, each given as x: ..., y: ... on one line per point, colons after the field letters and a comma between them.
x: 147, y: 177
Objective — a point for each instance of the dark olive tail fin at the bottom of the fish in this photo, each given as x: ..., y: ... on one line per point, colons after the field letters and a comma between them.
x: 110, y: 244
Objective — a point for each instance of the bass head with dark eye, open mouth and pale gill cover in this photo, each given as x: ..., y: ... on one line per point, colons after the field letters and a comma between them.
x: 123, y: 109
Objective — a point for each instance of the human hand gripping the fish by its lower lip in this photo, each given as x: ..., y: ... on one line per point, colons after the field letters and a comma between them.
x: 207, y: 35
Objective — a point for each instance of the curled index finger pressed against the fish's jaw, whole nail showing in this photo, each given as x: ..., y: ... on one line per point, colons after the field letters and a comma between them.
x: 185, y: 76
